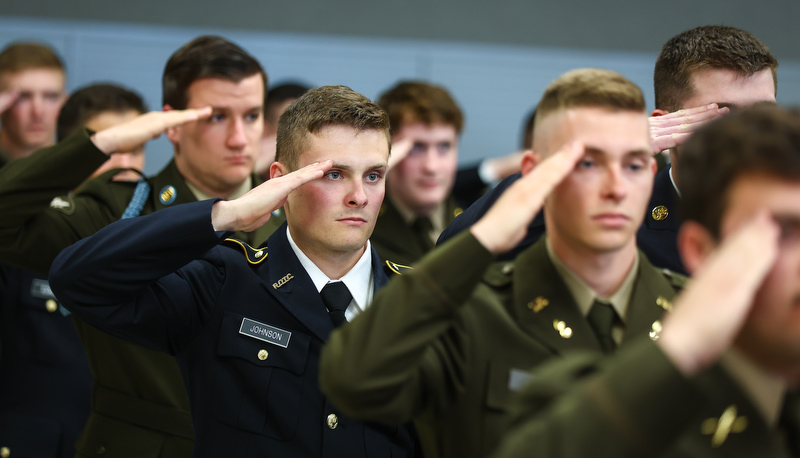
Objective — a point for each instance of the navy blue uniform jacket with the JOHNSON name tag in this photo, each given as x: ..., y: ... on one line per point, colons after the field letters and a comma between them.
x: 163, y: 281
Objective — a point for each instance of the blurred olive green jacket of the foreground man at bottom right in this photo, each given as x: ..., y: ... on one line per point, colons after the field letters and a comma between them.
x: 637, y: 404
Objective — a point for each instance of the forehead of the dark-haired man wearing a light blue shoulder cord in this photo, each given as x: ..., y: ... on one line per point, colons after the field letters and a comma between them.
x: 222, y: 93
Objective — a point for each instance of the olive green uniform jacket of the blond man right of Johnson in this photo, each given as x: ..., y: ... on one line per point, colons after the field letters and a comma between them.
x: 447, y: 344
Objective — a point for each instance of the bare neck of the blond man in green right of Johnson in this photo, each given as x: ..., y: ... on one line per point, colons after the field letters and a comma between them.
x: 604, y: 271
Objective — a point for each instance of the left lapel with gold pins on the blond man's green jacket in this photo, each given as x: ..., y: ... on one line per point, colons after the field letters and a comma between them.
x: 546, y: 309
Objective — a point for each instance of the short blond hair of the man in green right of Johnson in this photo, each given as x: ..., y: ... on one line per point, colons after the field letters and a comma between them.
x: 590, y: 88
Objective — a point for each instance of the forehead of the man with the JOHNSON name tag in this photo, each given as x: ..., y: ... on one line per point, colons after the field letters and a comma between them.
x: 346, y: 146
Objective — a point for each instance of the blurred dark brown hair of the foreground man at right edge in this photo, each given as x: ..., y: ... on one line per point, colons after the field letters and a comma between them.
x: 760, y: 139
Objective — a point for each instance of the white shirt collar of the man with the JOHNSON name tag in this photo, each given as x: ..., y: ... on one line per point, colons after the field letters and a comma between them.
x: 358, y: 279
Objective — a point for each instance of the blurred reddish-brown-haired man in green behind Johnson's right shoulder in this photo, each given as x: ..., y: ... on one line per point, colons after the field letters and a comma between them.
x: 426, y: 123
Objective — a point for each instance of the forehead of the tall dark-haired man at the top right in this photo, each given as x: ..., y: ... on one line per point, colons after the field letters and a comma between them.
x: 715, y: 85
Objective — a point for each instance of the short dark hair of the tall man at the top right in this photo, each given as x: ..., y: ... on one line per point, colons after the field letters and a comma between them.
x: 708, y: 47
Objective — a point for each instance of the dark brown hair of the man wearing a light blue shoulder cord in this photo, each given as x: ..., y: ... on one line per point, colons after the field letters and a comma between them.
x: 207, y: 56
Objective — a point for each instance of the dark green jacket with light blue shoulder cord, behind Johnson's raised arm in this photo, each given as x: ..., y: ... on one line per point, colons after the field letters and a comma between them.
x: 139, y: 403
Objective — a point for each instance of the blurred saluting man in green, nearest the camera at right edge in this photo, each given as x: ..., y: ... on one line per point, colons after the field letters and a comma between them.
x: 722, y: 378
